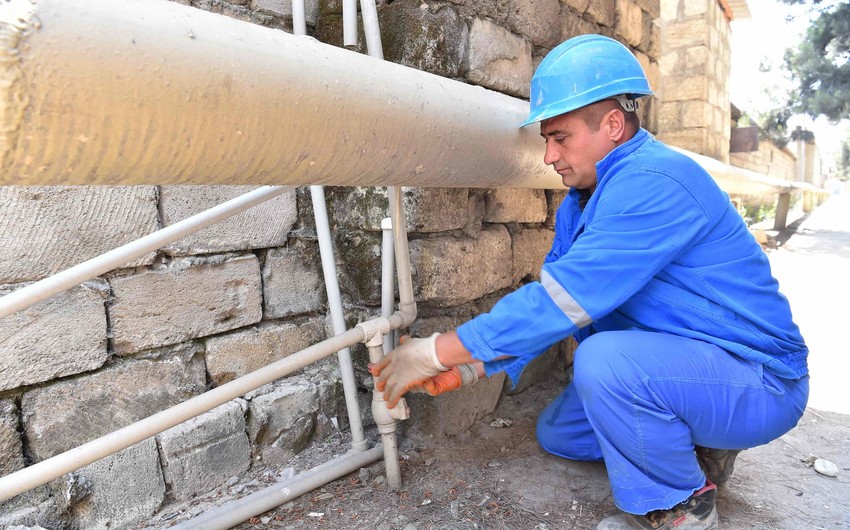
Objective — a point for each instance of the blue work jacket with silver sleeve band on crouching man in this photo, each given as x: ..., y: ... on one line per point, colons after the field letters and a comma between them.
x: 658, y: 247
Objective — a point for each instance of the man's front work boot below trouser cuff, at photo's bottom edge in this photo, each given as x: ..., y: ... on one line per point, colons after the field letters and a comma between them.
x: 695, y: 513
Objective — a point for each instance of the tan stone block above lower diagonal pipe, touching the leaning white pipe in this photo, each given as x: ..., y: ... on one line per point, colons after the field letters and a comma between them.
x: 235, y: 354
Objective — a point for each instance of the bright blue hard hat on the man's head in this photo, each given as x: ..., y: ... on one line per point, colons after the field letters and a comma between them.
x: 581, y: 71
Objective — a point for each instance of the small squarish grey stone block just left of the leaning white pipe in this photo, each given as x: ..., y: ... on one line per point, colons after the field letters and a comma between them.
x: 293, y: 282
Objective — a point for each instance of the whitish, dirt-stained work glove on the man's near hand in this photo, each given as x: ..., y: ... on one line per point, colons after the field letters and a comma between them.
x: 409, y: 365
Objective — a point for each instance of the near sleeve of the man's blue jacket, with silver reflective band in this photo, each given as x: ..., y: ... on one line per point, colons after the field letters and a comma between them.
x: 642, y: 222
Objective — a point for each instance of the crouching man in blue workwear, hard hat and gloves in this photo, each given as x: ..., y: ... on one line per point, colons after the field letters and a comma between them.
x: 687, y: 350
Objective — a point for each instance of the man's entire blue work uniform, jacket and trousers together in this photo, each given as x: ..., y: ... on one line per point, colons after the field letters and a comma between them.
x: 684, y: 337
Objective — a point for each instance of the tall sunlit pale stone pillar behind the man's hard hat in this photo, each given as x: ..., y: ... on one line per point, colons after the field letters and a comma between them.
x: 695, y: 66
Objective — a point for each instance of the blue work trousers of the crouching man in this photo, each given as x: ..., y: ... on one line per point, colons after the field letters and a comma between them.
x: 640, y: 401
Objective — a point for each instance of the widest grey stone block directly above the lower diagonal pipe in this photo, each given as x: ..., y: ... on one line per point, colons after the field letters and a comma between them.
x: 71, y: 412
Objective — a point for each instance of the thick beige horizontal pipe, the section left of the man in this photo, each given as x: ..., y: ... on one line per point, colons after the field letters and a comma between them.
x: 155, y: 92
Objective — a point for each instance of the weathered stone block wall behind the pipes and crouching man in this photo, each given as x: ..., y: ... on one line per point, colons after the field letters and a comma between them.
x: 236, y: 296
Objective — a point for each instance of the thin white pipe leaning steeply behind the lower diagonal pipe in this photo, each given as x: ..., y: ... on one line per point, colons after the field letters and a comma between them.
x: 346, y: 368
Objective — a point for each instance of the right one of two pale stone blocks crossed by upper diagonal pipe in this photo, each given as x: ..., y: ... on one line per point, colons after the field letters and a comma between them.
x: 265, y: 225
